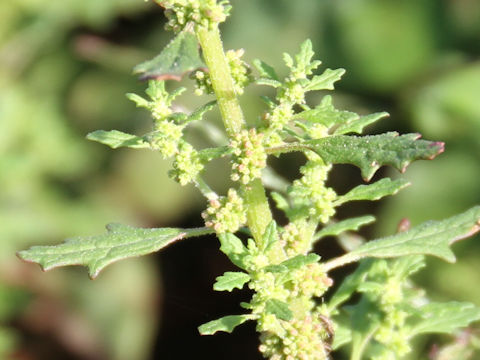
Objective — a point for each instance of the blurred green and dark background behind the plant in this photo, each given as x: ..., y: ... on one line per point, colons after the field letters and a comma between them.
x: 64, y: 69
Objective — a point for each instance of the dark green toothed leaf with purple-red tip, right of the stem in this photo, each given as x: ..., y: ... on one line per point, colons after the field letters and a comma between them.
x: 371, y: 152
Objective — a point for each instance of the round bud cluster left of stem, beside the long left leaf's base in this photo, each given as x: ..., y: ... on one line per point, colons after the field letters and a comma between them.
x: 225, y: 214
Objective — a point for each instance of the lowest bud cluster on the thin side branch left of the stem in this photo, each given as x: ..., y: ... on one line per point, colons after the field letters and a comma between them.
x: 187, y: 164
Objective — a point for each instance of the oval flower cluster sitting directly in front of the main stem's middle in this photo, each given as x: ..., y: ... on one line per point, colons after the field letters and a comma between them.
x: 249, y: 157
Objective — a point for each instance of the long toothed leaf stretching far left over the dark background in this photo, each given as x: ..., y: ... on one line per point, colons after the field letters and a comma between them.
x: 96, y: 252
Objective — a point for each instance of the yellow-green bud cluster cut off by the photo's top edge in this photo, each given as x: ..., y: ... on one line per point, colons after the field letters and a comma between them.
x: 202, y: 13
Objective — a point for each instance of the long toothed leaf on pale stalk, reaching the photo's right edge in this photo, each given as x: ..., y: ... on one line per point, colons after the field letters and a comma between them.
x: 430, y: 238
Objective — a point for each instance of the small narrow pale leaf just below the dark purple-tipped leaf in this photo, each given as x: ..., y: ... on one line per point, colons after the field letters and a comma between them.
x: 375, y: 191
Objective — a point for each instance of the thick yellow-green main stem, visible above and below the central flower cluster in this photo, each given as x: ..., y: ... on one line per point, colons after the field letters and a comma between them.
x: 258, y: 210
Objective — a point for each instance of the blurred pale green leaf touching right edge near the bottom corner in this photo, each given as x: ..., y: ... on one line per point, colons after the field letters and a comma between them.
x: 445, y: 317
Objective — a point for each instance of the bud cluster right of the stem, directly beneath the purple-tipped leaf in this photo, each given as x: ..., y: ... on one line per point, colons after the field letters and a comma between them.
x: 310, y: 194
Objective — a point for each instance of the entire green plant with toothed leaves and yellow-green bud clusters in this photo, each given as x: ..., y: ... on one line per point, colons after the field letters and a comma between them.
x: 277, y: 262
